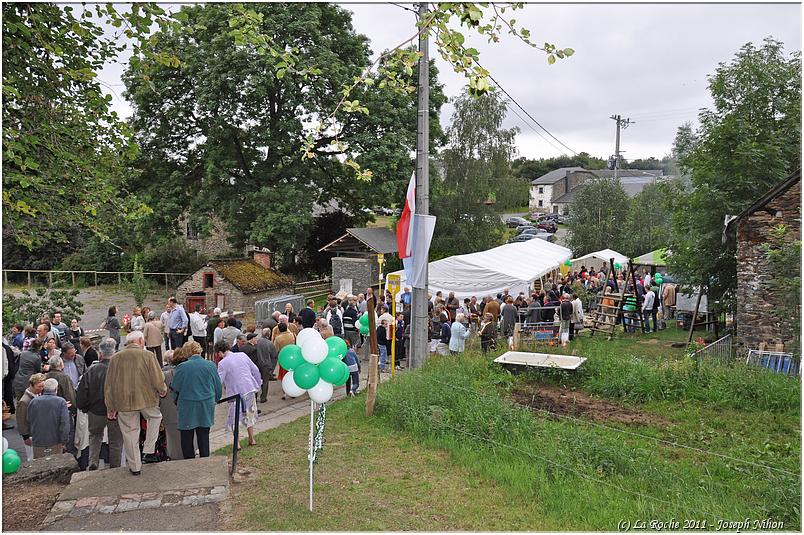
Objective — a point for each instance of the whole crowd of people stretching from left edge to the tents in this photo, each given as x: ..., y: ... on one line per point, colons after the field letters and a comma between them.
x: 154, y: 399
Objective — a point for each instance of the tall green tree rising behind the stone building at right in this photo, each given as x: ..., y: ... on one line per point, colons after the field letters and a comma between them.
x: 745, y: 145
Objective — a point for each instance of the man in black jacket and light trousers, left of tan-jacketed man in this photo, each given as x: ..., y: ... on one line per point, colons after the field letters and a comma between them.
x: 90, y: 400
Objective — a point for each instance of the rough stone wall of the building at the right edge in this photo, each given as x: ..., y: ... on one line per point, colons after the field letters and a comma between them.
x: 757, y: 297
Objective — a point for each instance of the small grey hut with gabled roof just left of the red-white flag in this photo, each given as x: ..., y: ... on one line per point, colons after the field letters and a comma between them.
x: 355, y: 265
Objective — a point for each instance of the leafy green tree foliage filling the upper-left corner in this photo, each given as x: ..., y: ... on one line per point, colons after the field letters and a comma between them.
x: 64, y: 149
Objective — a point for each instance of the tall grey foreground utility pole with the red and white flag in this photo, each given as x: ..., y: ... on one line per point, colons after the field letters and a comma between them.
x: 420, y: 324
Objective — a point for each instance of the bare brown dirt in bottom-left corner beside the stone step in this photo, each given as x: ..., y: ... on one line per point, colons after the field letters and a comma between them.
x: 25, y: 506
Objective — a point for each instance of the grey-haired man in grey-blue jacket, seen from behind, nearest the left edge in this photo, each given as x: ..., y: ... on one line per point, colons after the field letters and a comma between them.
x: 49, y: 421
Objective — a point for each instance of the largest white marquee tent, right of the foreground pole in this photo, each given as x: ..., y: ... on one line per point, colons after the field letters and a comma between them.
x: 514, y: 266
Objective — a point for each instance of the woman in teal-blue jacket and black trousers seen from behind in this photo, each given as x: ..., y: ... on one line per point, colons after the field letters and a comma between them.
x: 196, y: 388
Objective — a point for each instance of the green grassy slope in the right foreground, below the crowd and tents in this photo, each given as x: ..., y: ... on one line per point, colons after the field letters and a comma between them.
x: 465, y: 445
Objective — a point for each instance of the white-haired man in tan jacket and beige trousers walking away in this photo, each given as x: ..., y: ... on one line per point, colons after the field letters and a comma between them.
x: 134, y: 384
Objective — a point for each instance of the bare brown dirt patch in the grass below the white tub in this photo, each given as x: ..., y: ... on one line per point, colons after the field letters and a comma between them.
x: 563, y: 402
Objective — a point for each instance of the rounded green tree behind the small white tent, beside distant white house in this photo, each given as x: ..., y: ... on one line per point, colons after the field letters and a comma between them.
x: 598, y: 216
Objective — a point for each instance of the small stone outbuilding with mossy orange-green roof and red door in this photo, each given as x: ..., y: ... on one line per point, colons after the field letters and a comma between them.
x: 234, y: 283
